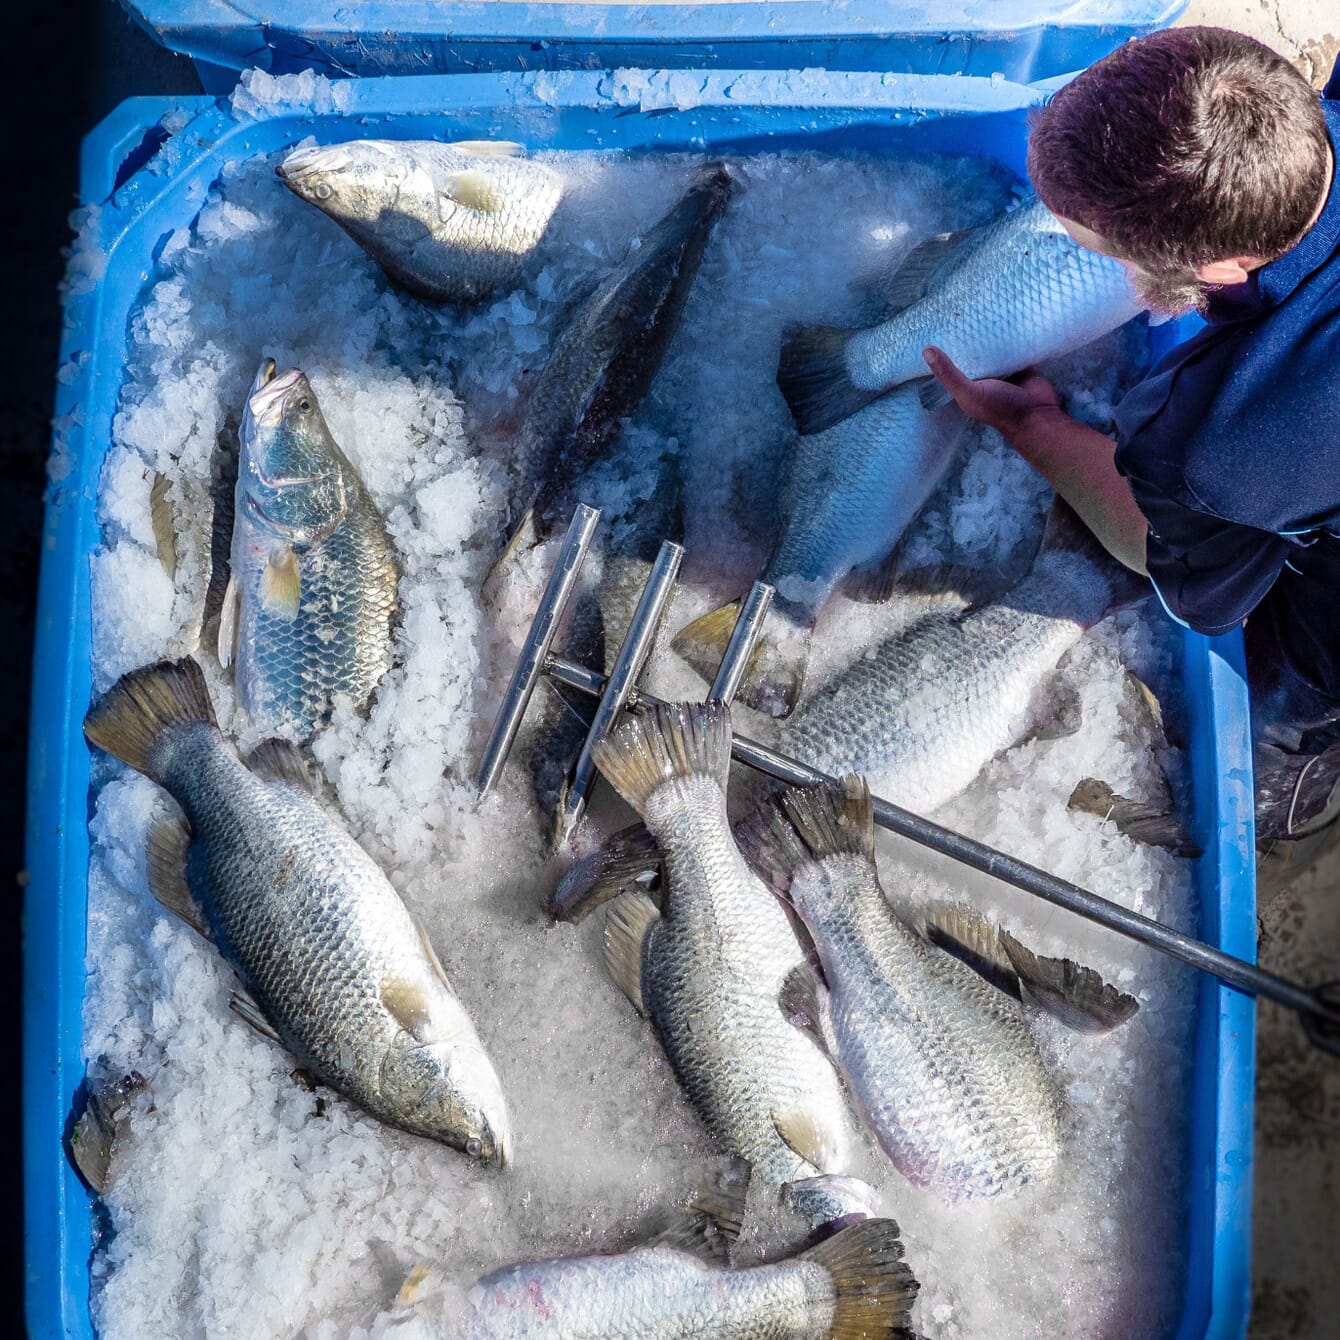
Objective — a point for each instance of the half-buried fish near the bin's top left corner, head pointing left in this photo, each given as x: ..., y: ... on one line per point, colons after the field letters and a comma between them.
x: 451, y: 223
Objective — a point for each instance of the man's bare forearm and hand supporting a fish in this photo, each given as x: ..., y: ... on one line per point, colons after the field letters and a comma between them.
x: 1077, y: 460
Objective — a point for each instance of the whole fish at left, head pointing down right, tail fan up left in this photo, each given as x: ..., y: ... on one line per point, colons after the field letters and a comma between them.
x: 332, y: 963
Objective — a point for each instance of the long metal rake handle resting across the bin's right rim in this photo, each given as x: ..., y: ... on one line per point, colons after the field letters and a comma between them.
x: 1235, y: 972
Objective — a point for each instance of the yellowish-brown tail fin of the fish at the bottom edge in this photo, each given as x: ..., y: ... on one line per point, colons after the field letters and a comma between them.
x: 874, y: 1286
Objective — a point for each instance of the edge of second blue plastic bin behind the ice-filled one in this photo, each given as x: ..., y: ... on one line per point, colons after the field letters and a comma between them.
x: 1018, y: 40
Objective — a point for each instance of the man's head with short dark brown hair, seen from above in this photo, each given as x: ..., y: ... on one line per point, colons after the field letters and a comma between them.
x: 1195, y: 156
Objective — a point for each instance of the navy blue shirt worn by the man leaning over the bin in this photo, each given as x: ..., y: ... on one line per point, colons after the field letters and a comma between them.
x: 1232, y: 450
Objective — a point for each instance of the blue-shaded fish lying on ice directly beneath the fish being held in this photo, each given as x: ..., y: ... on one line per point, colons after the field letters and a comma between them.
x: 849, y: 495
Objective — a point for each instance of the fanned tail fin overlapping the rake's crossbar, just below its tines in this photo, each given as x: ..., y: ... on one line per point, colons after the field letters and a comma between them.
x: 671, y: 742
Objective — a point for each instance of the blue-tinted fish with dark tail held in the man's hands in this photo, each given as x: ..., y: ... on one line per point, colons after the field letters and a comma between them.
x: 996, y: 299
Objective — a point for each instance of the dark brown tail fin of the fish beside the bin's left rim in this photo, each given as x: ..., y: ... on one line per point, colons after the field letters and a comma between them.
x: 144, y: 708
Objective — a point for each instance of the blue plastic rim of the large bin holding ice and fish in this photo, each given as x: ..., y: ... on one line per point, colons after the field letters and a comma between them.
x: 148, y: 182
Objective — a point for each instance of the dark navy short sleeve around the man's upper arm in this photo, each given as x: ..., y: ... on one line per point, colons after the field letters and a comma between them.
x: 1211, y: 574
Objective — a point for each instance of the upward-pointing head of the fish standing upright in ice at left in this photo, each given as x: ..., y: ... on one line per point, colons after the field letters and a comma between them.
x: 291, y: 474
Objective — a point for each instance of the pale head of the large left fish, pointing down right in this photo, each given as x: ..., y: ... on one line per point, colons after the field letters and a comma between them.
x: 450, y: 1091
